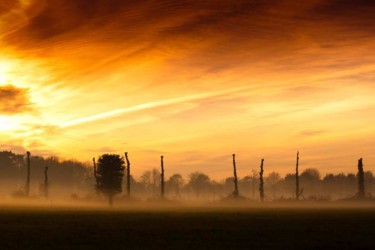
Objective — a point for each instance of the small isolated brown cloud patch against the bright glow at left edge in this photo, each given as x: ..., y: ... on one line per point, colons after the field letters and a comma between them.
x: 14, y: 100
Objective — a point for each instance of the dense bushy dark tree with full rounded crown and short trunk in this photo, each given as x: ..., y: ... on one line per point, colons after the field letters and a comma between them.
x: 109, y: 174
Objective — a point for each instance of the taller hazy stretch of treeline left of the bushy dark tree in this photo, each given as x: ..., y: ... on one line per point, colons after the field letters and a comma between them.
x: 65, y: 177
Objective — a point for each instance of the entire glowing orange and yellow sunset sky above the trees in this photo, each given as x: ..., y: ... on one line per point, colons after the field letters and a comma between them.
x: 195, y: 81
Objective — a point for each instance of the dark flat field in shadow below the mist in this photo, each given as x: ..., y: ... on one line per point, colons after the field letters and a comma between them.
x: 193, y: 227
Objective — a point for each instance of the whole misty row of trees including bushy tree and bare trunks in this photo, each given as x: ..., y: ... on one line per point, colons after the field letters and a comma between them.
x: 93, y: 181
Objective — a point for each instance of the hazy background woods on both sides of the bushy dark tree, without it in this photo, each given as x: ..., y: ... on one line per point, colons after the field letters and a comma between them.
x: 67, y: 178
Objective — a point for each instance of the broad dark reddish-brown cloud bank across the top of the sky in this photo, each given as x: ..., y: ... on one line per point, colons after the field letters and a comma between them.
x: 212, y: 35
